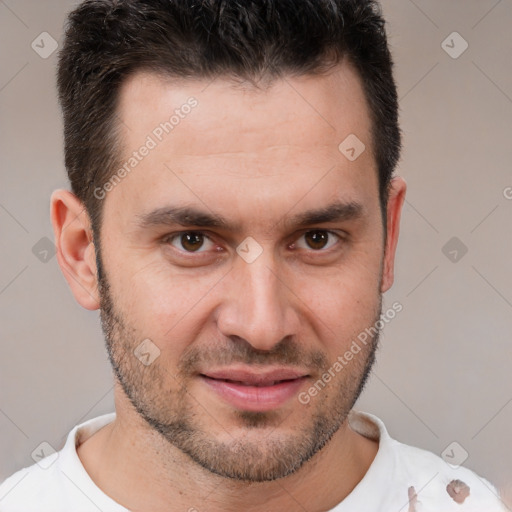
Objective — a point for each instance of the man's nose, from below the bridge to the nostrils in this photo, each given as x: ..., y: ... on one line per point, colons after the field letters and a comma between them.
x: 257, y: 305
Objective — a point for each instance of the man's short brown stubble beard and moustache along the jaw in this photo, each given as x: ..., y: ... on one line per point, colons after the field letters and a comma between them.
x: 171, y: 411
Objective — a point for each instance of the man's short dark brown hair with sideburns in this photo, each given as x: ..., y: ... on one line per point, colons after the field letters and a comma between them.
x: 107, y: 40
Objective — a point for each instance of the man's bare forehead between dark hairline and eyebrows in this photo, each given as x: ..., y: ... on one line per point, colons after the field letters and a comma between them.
x: 209, y: 138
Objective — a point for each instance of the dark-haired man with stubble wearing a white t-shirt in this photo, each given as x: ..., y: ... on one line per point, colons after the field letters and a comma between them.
x: 234, y: 216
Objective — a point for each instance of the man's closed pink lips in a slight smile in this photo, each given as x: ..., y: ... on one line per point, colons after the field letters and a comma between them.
x: 255, y: 391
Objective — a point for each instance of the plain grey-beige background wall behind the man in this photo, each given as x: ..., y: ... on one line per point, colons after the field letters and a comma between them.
x: 443, y: 371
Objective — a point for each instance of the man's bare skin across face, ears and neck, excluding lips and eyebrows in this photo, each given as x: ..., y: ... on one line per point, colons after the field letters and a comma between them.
x: 257, y: 157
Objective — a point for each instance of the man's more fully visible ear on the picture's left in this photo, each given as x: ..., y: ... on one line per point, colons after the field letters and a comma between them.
x: 75, y: 248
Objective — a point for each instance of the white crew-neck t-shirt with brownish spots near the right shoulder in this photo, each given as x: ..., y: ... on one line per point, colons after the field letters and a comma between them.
x: 59, y: 482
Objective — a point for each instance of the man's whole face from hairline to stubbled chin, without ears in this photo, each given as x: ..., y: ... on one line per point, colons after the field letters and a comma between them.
x: 247, y: 251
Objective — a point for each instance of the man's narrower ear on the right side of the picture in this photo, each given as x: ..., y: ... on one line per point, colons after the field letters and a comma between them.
x: 394, y: 210
